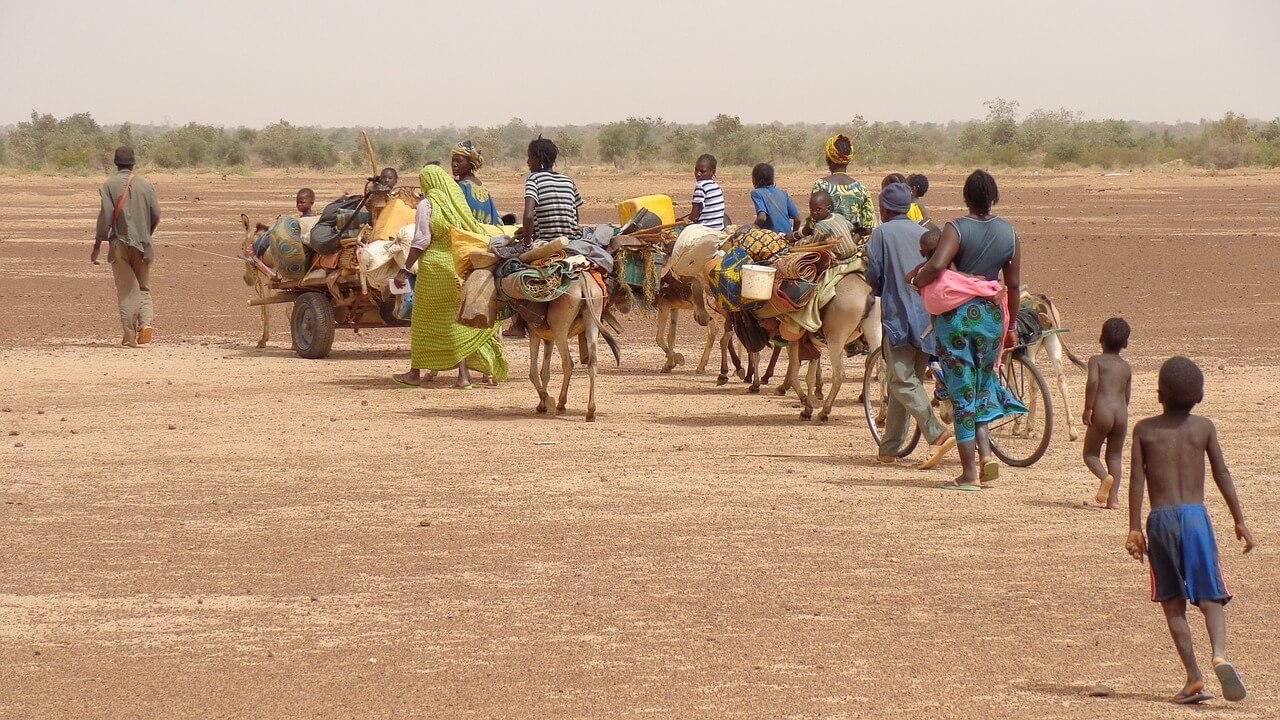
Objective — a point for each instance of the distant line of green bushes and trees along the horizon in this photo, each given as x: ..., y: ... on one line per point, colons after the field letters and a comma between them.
x: 1043, y: 139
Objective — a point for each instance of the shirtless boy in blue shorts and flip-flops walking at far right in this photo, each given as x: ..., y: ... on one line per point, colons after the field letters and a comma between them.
x: 1169, y: 457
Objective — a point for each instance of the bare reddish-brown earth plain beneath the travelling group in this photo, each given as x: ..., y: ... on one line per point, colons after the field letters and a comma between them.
x: 203, y: 528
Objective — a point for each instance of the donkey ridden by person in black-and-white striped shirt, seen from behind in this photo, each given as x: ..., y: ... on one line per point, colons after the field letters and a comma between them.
x: 577, y: 313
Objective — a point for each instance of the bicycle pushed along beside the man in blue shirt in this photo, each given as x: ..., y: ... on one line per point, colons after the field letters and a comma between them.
x: 1020, y: 441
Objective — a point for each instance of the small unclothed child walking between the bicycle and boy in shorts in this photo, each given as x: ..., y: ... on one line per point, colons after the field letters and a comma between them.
x: 1107, y: 411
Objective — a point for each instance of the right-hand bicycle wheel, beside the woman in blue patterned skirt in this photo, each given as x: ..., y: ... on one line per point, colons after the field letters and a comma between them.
x: 1022, y: 440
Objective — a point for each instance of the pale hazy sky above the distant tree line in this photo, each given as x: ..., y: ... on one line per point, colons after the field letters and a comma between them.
x: 557, y: 62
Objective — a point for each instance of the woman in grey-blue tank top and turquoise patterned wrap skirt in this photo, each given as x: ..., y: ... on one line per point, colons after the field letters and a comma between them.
x: 971, y: 338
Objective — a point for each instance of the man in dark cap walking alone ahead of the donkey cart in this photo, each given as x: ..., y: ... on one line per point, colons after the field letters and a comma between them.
x: 129, y: 216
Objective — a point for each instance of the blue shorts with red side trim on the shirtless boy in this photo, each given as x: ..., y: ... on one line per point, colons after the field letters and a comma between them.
x: 1185, y: 557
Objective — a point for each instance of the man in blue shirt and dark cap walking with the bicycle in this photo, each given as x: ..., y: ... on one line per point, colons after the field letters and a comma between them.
x: 894, y: 250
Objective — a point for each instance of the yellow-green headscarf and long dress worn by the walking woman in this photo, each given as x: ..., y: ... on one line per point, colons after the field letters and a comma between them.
x: 440, y: 343
